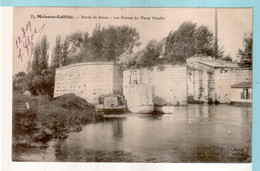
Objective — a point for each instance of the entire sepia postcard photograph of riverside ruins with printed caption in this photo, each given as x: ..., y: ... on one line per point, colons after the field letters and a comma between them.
x: 132, y: 85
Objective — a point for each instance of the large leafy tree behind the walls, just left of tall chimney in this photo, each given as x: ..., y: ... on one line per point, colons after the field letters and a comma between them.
x: 187, y: 41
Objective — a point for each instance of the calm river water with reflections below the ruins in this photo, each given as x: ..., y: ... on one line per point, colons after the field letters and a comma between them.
x: 193, y: 133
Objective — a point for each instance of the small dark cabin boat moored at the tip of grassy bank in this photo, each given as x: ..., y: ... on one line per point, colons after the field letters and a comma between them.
x: 110, y: 103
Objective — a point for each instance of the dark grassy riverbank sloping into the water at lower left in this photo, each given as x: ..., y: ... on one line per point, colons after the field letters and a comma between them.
x: 37, y: 119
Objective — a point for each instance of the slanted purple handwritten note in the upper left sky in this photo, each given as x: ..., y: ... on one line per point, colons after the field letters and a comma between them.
x: 26, y: 41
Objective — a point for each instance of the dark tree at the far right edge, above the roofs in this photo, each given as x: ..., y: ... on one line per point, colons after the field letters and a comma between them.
x: 247, y: 52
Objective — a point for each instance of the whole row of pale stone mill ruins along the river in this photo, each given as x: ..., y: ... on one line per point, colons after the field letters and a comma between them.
x: 202, y: 79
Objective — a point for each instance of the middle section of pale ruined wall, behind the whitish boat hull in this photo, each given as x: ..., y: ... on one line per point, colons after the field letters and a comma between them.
x: 168, y: 82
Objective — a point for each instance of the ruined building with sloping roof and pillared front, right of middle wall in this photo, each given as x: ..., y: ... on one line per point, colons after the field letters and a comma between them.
x: 211, y: 80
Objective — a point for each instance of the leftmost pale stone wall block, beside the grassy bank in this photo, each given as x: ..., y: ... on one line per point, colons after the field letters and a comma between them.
x: 88, y: 80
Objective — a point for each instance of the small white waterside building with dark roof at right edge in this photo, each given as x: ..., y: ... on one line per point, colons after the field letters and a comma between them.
x: 241, y: 93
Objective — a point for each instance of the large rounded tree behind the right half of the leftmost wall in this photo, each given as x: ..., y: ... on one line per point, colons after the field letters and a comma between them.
x: 107, y: 44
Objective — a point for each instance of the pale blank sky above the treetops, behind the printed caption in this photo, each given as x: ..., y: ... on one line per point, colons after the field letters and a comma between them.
x: 233, y: 23
